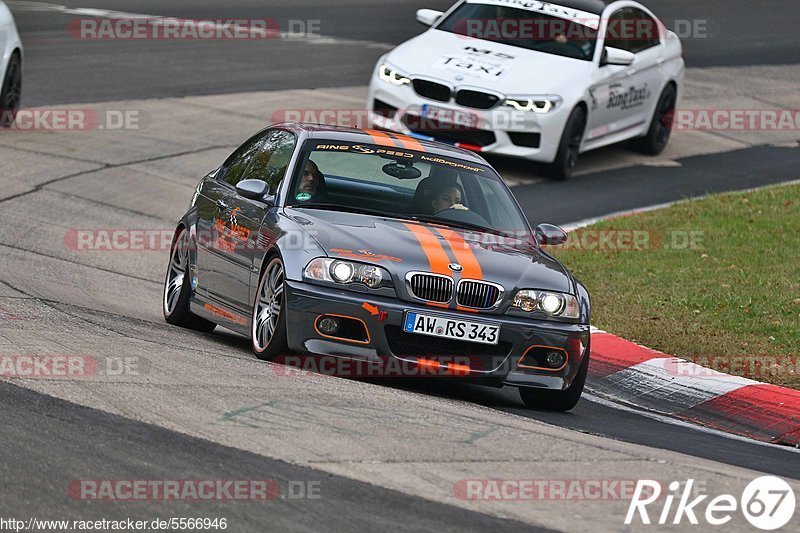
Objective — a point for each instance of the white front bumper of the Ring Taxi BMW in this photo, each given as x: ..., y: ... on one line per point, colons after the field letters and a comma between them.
x: 500, y: 125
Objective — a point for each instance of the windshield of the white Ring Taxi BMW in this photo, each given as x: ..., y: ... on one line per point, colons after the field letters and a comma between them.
x: 539, y: 26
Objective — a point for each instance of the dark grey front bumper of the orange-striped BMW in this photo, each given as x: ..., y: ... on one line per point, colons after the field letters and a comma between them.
x: 305, y: 303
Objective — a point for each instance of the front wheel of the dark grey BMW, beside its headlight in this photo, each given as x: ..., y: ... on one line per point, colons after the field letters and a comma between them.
x: 268, y: 325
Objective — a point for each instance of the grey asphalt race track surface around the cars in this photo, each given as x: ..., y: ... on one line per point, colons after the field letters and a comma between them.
x: 386, y: 454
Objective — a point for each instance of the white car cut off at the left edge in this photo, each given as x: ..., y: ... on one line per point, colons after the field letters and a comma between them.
x: 10, y: 67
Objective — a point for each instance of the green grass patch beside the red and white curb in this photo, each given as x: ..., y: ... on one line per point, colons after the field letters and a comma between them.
x: 730, y: 301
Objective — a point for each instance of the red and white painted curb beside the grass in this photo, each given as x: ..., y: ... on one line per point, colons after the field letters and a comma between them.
x: 639, y: 376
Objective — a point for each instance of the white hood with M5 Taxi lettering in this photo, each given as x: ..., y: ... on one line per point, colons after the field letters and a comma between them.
x: 511, y: 70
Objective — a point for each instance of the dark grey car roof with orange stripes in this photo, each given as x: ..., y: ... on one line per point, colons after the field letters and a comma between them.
x: 379, y: 137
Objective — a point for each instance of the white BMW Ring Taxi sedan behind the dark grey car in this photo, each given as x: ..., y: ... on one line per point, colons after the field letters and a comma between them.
x: 536, y: 80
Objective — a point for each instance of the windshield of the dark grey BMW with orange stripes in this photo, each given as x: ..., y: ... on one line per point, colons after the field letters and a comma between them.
x: 400, y: 183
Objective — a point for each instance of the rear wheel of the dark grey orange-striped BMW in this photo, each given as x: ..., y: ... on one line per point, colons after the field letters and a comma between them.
x: 178, y: 289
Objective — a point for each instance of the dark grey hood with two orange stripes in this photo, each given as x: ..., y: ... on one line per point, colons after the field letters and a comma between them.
x: 396, y: 246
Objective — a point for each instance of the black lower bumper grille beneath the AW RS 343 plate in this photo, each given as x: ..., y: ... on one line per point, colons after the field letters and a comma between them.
x: 403, y: 344
